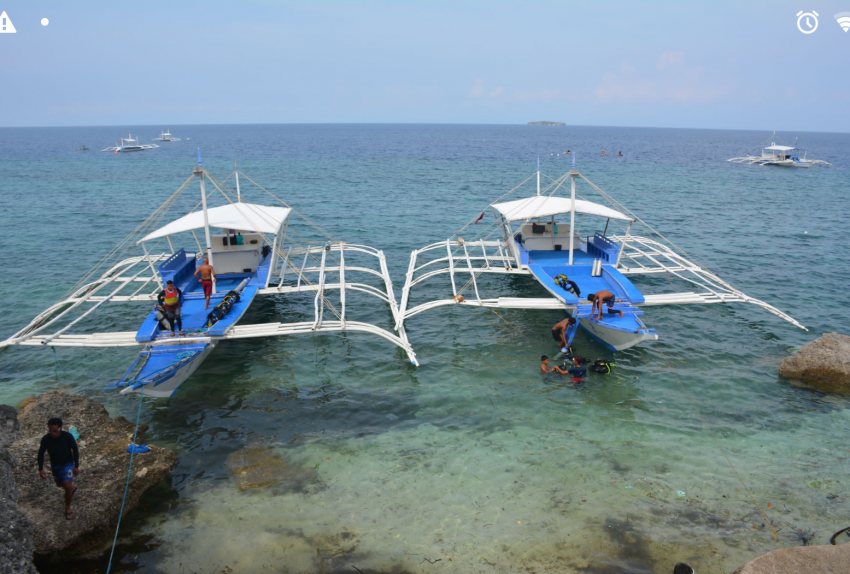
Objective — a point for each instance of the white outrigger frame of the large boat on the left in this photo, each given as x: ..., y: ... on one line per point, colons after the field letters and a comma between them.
x: 134, y: 279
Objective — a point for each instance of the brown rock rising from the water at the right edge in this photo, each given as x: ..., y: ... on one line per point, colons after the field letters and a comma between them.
x: 824, y: 363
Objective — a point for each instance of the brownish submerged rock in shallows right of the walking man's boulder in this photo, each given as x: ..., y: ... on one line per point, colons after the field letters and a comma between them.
x: 256, y: 465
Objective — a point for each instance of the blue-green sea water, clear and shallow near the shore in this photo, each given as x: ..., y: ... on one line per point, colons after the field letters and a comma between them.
x: 471, y: 459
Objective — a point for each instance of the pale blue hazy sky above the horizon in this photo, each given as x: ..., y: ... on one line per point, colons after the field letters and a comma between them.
x: 734, y: 65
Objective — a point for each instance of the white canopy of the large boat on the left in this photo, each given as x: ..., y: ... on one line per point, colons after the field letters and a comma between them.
x: 238, y: 216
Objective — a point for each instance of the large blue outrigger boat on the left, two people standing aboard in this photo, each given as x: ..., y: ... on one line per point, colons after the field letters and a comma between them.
x: 256, y: 250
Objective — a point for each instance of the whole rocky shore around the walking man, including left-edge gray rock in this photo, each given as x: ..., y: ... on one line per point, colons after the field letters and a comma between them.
x: 39, y: 527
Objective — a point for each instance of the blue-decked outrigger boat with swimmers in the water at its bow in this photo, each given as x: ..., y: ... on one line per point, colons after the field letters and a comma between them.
x: 529, y: 236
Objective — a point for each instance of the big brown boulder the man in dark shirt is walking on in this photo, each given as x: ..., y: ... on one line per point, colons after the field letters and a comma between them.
x: 103, y: 471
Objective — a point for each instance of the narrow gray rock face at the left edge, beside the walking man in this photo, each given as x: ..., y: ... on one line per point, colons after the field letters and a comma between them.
x: 16, y: 531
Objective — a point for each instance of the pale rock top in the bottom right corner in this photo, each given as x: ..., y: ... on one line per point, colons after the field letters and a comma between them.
x: 814, y: 559
